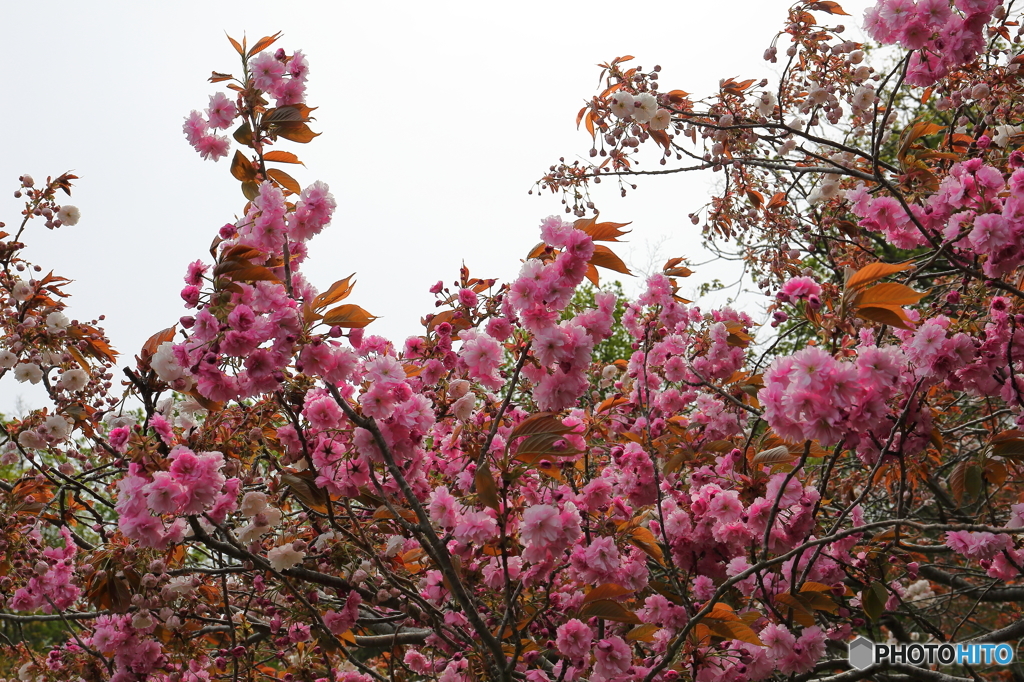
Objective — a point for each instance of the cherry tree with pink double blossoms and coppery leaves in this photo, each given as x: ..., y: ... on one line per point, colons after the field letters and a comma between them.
x: 298, y: 499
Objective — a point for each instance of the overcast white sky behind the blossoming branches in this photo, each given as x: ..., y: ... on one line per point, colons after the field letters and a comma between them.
x: 438, y: 118
